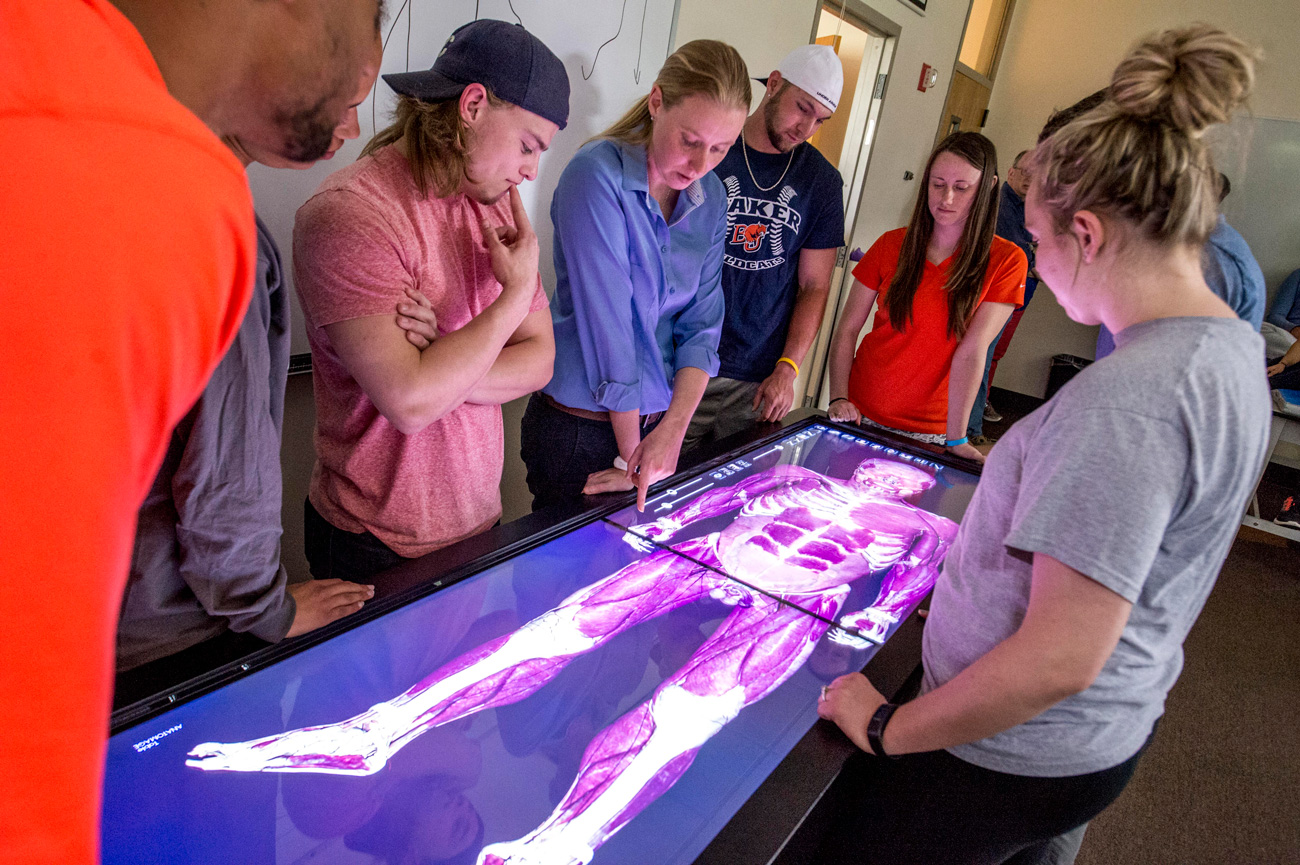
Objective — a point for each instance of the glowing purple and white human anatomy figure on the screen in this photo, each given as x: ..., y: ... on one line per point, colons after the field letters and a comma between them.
x: 798, y: 543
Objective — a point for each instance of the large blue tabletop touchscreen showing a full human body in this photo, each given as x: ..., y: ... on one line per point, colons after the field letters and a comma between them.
x: 613, y: 695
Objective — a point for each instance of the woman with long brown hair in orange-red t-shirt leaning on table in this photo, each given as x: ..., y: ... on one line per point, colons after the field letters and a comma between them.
x: 947, y: 286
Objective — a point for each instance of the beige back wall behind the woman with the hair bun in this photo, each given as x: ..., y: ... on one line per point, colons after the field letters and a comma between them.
x: 1059, y: 51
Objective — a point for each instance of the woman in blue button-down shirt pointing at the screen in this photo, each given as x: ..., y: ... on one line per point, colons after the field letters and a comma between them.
x: 640, y: 223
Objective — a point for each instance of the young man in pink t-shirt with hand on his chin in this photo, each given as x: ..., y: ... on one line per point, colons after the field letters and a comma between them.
x: 409, y: 432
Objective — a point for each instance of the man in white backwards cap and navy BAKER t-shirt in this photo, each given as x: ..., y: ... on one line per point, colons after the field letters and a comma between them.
x: 785, y: 223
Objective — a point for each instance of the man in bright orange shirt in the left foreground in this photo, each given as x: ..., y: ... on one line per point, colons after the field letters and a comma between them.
x: 127, y: 267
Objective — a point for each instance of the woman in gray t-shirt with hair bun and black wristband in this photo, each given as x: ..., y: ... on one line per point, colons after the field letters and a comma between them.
x: 1102, y: 520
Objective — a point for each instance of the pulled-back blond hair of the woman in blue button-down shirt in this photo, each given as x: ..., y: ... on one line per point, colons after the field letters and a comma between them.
x: 704, y: 68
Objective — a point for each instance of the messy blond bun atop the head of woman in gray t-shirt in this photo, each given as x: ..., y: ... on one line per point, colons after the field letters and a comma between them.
x: 1191, y: 77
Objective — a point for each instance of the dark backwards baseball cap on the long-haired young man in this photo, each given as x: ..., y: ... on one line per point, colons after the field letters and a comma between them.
x: 502, y: 57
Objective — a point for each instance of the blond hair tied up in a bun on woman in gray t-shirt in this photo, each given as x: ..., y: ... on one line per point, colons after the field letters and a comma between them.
x: 1139, y: 154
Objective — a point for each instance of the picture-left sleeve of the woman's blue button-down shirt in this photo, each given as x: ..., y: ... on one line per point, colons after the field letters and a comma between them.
x: 592, y: 235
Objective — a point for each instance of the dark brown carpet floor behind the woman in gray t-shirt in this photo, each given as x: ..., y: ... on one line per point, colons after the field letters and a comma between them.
x: 1221, y: 782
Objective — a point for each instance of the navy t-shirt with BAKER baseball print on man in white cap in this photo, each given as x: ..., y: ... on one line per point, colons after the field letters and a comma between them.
x: 761, y: 258
